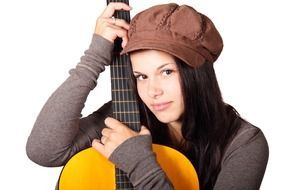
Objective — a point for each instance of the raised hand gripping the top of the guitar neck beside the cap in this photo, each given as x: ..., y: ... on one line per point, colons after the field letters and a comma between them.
x: 111, y: 28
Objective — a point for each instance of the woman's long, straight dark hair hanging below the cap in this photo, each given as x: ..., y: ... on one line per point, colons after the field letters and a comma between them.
x: 208, y: 124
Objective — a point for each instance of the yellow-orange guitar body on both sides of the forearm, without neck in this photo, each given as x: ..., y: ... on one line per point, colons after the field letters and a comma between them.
x: 89, y: 170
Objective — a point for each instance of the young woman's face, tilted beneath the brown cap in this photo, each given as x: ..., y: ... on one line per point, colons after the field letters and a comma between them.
x: 158, y: 84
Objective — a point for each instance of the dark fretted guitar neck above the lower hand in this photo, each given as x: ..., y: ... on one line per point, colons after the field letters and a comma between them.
x: 124, y: 102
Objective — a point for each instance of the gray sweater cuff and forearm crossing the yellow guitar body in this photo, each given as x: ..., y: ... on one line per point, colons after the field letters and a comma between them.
x: 136, y: 158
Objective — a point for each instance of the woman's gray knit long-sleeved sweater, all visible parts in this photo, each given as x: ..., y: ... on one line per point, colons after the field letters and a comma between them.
x: 60, y: 132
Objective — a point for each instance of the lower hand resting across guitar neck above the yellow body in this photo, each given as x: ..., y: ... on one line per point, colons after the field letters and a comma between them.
x: 114, y: 135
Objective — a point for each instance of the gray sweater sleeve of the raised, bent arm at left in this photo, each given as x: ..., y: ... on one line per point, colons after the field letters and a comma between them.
x: 59, y: 131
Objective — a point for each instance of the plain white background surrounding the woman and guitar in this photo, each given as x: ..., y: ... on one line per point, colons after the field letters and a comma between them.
x: 41, y: 40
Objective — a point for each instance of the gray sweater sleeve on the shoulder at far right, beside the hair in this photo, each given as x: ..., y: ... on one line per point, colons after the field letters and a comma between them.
x: 245, y: 161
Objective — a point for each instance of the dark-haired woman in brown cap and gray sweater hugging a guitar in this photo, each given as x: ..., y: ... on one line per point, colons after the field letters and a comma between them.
x: 172, y: 50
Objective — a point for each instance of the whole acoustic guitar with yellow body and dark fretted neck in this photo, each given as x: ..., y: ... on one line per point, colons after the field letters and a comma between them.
x: 89, y: 170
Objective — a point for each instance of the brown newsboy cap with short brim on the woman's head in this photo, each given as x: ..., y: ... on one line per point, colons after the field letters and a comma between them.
x: 178, y: 30
